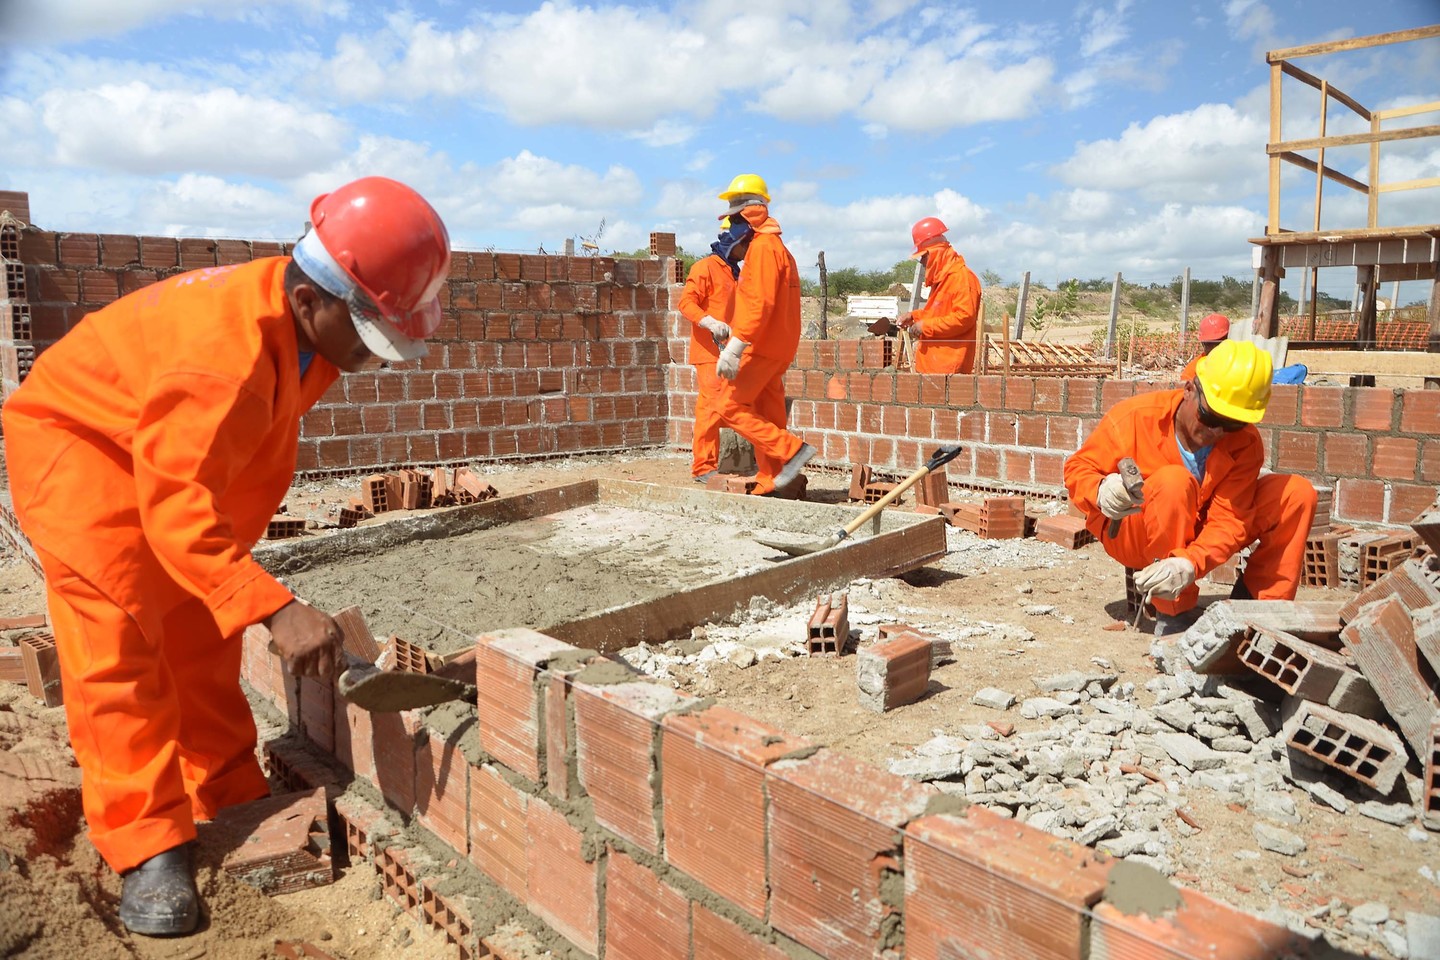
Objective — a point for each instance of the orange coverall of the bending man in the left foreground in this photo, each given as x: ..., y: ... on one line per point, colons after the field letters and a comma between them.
x: 148, y: 453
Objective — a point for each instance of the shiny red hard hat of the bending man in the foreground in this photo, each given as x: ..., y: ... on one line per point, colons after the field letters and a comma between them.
x: 390, y: 245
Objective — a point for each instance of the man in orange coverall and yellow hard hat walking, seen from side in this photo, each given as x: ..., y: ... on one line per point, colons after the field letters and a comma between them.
x: 765, y: 333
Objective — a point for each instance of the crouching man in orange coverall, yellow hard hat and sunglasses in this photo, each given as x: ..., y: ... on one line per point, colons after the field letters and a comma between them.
x: 1205, y: 499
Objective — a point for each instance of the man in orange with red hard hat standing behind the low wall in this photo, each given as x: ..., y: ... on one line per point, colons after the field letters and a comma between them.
x: 945, y: 327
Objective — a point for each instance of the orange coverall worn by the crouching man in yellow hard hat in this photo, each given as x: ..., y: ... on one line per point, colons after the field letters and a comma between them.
x: 1207, y: 523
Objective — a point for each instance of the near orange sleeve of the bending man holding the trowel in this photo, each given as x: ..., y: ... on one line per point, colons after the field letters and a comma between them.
x: 197, y: 433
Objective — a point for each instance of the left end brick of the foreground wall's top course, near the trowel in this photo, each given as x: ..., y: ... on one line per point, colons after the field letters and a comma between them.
x: 508, y: 664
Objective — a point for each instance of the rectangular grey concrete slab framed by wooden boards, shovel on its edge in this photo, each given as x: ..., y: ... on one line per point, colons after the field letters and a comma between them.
x: 716, y: 565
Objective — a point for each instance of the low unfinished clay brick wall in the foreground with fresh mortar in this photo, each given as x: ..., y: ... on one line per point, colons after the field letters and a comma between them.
x: 637, y: 823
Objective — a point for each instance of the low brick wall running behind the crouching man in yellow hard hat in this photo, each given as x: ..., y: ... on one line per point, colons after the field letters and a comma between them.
x: 1379, y: 448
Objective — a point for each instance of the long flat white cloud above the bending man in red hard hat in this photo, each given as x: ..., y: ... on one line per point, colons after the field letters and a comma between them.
x: 138, y: 129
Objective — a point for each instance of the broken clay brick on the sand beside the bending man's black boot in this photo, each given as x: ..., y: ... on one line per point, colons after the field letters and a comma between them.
x: 279, y: 844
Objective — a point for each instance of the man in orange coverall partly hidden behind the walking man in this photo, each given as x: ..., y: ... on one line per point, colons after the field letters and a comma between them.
x: 708, y: 303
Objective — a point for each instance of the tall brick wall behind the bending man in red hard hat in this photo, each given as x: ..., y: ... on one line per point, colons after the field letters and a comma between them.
x: 536, y: 355
